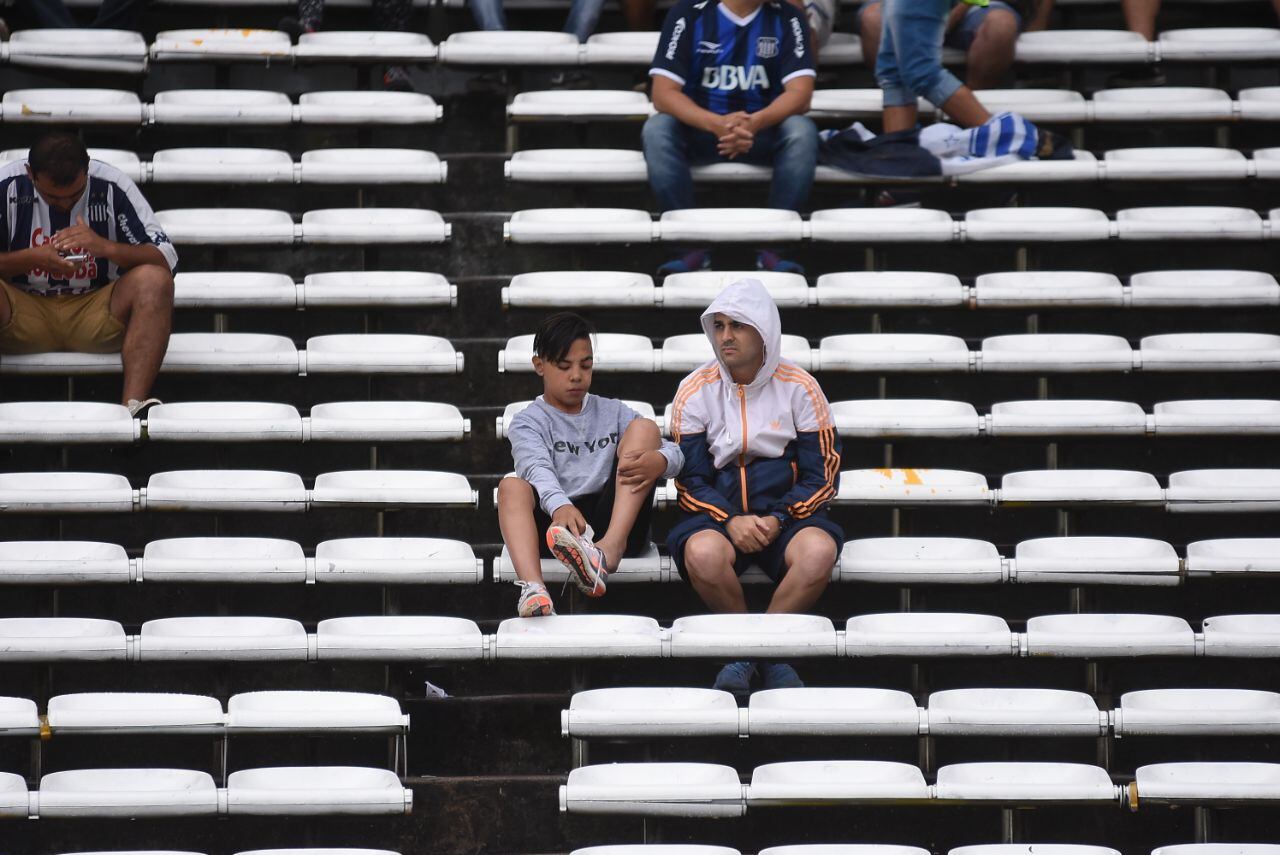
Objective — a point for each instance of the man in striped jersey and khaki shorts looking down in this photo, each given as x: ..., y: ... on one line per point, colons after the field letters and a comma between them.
x: 85, y: 266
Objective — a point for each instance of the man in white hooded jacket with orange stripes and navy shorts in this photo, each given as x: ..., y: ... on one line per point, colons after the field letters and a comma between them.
x: 762, y: 461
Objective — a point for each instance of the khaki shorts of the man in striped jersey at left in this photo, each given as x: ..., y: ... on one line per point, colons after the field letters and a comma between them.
x: 77, y: 323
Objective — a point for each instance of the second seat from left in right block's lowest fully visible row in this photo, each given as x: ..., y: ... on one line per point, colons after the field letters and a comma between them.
x: 835, y: 783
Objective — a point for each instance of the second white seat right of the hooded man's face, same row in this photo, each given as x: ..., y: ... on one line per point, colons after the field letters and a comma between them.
x: 1057, y: 353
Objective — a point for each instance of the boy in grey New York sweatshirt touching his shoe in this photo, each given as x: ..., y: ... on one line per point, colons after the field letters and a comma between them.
x: 584, y: 467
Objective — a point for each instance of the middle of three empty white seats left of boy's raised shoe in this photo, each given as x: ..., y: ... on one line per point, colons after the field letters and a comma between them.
x: 223, y: 560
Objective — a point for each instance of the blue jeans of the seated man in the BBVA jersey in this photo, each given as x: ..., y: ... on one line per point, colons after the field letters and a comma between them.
x: 671, y: 148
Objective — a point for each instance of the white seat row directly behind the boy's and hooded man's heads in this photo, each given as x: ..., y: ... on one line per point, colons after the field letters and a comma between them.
x: 894, y: 353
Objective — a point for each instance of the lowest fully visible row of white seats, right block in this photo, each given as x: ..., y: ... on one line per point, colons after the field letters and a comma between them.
x: 714, y: 790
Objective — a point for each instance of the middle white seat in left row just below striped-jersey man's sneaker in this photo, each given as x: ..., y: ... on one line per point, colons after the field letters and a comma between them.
x: 225, y: 422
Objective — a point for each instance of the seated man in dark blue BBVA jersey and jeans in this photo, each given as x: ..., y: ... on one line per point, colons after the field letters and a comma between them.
x: 732, y: 81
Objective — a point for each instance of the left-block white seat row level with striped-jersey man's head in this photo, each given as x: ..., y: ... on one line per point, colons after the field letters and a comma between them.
x: 272, y: 166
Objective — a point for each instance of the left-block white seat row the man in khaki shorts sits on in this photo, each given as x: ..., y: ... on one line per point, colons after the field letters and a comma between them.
x: 266, y: 354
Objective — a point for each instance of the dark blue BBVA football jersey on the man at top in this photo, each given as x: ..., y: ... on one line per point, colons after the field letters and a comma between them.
x: 726, y: 63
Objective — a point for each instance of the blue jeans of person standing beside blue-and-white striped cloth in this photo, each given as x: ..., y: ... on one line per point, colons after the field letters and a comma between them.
x: 911, y: 60
